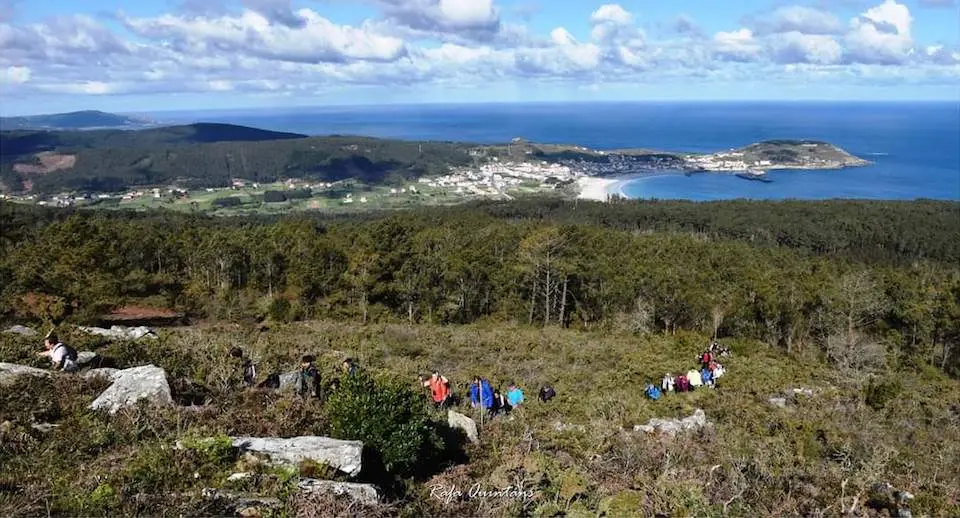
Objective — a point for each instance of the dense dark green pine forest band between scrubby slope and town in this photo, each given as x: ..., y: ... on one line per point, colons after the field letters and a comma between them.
x: 855, y: 280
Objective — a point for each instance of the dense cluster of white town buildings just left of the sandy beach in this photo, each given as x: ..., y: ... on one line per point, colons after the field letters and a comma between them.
x: 494, y: 178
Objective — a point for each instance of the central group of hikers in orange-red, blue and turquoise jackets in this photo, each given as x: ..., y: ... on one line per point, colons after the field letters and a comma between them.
x: 482, y: 394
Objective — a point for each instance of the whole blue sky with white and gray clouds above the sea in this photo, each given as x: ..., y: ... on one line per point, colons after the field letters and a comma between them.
x: 154, y: 55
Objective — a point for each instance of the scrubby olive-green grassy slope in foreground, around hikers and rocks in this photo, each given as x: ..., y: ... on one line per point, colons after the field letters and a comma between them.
x: 756, y: 460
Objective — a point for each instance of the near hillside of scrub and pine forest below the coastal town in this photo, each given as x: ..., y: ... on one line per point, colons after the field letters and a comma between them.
x: 842, y: 376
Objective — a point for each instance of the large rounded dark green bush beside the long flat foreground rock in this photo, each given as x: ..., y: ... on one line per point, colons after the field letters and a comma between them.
x: 387, y: 416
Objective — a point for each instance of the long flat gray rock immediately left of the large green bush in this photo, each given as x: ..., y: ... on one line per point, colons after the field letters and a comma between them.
x: 343, y: 455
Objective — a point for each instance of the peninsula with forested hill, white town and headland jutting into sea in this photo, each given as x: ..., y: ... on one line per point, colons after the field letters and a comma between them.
x: 224, y: 167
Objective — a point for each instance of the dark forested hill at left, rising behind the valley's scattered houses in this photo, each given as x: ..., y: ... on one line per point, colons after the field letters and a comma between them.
x: 206, y: 155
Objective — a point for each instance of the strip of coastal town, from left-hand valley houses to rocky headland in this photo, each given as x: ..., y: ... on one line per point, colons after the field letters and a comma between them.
x: 586, y: 173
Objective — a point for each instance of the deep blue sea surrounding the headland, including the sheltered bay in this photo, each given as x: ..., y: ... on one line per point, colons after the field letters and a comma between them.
x: 914, y: 147
